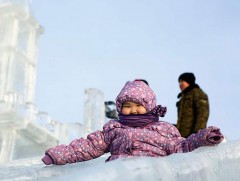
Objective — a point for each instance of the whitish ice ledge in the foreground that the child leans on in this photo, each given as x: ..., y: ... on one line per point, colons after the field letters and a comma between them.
x: 215, y: 163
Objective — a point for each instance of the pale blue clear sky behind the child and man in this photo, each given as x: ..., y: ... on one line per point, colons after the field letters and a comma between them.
x: 104, y: 43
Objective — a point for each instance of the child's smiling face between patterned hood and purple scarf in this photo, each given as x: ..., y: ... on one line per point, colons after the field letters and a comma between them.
x: 133, y: 108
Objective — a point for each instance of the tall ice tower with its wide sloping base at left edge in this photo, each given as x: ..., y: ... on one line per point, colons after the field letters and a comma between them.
x: 19, y: 32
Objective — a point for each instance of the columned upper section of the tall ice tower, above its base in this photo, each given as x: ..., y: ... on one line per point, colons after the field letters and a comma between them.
x: 18, y: 37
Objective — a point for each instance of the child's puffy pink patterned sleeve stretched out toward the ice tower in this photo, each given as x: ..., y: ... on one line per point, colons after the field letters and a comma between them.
x: 79, y: 149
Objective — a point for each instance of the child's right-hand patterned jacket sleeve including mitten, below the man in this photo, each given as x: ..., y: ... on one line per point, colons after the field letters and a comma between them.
x: 205, y: 137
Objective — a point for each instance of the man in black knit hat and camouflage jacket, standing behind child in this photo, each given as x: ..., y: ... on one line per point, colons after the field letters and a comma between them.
x: 192, y: 107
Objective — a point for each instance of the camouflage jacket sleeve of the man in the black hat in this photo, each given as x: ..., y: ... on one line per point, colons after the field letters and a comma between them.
x: 201, y: 108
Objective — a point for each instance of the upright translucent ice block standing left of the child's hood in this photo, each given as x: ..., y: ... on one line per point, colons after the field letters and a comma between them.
x: 94, y: 109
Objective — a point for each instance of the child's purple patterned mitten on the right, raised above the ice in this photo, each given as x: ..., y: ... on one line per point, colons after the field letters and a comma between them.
x: 213, y: 135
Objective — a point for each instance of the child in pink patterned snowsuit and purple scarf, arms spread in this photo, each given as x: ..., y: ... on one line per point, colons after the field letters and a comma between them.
x: 137, y: 132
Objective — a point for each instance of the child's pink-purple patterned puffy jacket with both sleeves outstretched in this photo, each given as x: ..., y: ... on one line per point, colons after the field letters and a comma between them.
x: 154, y: 140
